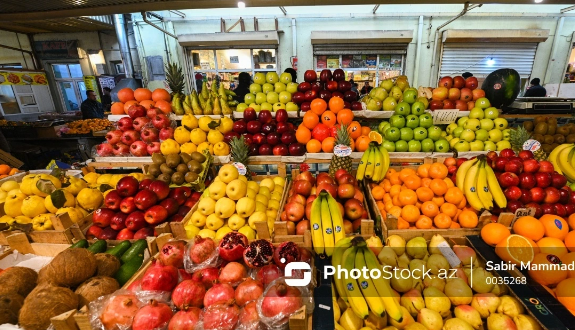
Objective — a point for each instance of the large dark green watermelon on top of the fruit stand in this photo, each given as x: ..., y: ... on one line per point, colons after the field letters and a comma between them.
x: 502, y: 87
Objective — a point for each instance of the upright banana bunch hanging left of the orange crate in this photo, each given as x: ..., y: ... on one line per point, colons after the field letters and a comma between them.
x: 326, y: 224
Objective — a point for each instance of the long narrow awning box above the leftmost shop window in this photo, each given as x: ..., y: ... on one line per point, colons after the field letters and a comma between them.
x: 229, y: 39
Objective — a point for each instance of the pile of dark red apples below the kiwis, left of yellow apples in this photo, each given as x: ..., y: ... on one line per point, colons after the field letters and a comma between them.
x: 134, y: 209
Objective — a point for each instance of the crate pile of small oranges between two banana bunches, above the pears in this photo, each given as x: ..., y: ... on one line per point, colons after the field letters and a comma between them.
x: 423, y: 199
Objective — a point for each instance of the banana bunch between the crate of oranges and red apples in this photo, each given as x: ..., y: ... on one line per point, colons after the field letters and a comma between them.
x: 479, y: 185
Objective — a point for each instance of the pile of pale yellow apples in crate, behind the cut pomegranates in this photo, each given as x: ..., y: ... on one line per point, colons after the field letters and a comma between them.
x: 232, y: 203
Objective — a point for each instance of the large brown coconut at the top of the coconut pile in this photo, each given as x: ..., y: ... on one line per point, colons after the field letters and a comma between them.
x: 70, y: 268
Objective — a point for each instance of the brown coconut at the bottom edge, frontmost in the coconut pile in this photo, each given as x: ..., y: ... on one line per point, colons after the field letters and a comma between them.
x: 44, y: 303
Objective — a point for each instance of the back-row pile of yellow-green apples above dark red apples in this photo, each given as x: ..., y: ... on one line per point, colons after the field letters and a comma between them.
x: 272, y: 92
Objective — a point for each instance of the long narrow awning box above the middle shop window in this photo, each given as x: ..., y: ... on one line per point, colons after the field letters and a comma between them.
x: 356, y: 37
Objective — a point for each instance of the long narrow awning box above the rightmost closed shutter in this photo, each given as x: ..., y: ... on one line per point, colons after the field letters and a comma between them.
x: 509, y: 35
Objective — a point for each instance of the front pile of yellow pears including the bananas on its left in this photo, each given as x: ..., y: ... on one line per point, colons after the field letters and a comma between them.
x: 469, y: 300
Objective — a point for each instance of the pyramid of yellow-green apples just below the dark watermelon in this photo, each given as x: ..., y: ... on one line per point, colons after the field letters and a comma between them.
x: 482, y: 130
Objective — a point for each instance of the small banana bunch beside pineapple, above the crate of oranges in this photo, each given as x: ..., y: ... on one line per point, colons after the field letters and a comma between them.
x: 374, y: 163
